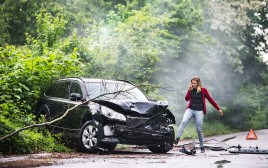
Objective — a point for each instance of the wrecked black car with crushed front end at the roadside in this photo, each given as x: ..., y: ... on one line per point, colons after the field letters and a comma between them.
x: 118, y: 112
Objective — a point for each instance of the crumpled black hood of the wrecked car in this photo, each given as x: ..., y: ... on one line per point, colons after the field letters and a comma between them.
x: 132, y: 107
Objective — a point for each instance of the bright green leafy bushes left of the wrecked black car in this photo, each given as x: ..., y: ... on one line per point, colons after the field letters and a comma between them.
x: 25, y: 71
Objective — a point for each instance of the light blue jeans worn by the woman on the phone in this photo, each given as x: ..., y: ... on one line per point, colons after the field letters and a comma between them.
x: 199, y: 116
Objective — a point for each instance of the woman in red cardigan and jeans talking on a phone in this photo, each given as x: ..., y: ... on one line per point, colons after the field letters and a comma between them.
x: 196, y: 108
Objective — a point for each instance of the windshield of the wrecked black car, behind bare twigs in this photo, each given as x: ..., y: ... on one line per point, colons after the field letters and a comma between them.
x: 124, y: 91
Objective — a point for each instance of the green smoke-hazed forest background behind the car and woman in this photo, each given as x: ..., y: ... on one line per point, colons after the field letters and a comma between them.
x: 154, y: 42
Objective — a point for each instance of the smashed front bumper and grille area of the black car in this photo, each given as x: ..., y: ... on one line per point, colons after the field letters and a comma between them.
x: 139, y: 131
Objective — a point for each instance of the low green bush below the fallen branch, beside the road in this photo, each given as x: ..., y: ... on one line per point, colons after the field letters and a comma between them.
x: 27, y: 141
